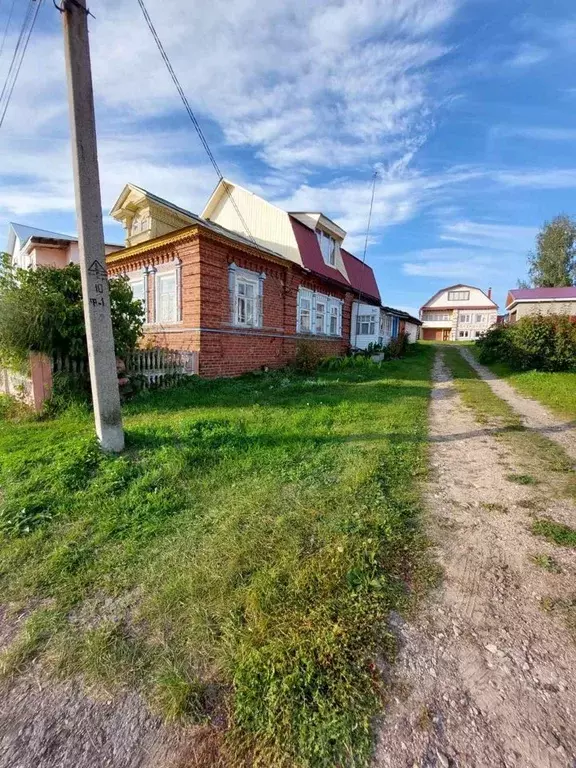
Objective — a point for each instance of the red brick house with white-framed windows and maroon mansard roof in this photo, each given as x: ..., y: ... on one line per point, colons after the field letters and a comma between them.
x: 241, y: 284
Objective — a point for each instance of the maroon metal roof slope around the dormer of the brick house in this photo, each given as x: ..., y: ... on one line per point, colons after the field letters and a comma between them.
x: 361, y: 276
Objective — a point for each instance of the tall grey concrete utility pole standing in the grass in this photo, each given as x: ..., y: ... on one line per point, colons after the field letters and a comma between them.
x: 95, y: 291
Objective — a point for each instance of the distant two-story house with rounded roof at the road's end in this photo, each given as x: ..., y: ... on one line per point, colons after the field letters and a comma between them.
x: 458, y: 313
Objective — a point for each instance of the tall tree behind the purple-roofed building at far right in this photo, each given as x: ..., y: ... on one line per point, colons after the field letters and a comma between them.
x: 554, y: 262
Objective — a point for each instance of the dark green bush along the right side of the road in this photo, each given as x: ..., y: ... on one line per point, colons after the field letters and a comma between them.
x: 537, y: 342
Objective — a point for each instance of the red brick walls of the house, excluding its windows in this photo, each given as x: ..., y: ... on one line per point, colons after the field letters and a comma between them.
x: 224, y: 349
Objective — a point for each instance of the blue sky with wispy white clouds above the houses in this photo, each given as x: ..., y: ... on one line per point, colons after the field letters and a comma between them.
x: 466, y: 108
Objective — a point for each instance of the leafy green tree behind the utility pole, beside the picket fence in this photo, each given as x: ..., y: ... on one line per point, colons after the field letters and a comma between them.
x: 41, y: 311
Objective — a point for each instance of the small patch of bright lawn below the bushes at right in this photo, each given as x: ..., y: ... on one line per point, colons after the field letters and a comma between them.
x: 555, y: 390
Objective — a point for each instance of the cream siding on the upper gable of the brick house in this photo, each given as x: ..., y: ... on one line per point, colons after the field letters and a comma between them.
x: 268, y: 225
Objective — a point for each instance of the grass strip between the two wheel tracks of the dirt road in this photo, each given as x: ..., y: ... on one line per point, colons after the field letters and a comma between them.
x: 544, y: 460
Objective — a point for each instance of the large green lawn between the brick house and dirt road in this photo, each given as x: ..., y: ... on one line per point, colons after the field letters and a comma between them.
x: 241, y: 556
